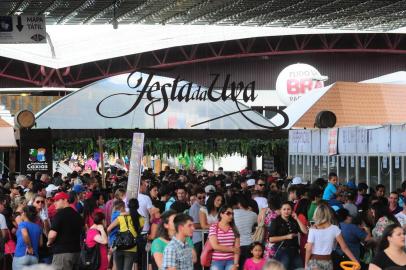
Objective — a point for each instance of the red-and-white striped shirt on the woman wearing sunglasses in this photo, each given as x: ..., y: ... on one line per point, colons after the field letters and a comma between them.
x: 224, y: 239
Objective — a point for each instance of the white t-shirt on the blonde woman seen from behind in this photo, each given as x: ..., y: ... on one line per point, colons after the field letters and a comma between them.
x: 323, y: 240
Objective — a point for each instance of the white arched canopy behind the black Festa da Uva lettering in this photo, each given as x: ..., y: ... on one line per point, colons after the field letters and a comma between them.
x: 78, y: 110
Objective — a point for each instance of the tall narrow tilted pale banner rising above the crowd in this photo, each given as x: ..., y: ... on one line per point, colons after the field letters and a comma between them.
x: 134, y: 175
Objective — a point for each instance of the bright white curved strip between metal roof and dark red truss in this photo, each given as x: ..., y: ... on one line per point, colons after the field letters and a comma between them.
x: 70, y: 45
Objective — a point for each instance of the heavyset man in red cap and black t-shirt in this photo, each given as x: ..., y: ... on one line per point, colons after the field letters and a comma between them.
x: 64, y: 236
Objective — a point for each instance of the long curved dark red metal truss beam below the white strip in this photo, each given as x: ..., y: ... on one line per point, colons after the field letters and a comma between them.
x: 80, y: 75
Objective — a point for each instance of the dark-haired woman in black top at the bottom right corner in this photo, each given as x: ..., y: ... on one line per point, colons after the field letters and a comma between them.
x: 391, y: 250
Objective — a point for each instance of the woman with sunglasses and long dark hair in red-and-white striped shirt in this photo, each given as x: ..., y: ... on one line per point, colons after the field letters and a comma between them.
x: 225, y: 240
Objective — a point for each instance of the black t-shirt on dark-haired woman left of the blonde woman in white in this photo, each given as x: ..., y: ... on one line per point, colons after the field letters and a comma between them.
x: 281, y: 227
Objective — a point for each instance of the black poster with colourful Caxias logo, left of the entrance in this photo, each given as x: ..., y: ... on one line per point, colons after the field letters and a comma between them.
x: 36, y: 152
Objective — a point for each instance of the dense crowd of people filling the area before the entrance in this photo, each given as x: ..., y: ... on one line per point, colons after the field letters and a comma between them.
x: 182, y: 219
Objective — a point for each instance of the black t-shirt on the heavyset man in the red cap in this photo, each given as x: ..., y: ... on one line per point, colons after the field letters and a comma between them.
x: 69, y: 225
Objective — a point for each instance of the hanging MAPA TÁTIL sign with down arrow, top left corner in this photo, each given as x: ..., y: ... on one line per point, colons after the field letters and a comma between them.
x: 22, y: 29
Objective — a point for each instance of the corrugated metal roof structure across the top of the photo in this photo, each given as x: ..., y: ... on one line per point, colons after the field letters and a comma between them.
x: 374, y: 15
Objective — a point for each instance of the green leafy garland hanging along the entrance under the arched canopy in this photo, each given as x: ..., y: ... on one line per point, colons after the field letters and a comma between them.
x: 191, y: 148
